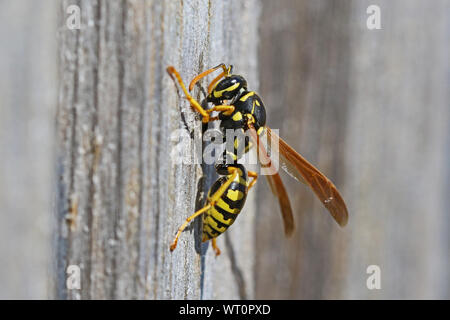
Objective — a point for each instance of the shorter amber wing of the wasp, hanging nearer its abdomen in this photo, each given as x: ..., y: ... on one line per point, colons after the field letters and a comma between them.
x: 275, y: 183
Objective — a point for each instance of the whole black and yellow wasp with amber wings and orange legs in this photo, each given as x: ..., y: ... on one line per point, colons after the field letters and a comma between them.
x: 241, y: 109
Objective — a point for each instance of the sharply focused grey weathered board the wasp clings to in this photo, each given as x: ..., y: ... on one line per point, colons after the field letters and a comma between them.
x: 121, y: 197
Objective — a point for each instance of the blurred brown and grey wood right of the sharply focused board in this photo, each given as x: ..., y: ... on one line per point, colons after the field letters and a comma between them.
x: 370, y: 109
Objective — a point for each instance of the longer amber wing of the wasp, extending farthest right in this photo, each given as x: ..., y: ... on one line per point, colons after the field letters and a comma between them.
x: 304, y: 171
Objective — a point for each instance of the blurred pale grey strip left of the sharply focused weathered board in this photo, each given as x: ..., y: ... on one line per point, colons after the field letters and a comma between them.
x: 27, y: 108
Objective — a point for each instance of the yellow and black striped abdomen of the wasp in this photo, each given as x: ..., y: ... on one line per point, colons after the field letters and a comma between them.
x: 225, y: 211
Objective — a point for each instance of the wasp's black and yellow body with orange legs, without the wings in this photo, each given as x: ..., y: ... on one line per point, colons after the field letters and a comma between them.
x: 237, y: 108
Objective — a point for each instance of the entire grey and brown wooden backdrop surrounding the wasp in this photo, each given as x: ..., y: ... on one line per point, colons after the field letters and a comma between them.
x: 370, y: 108
